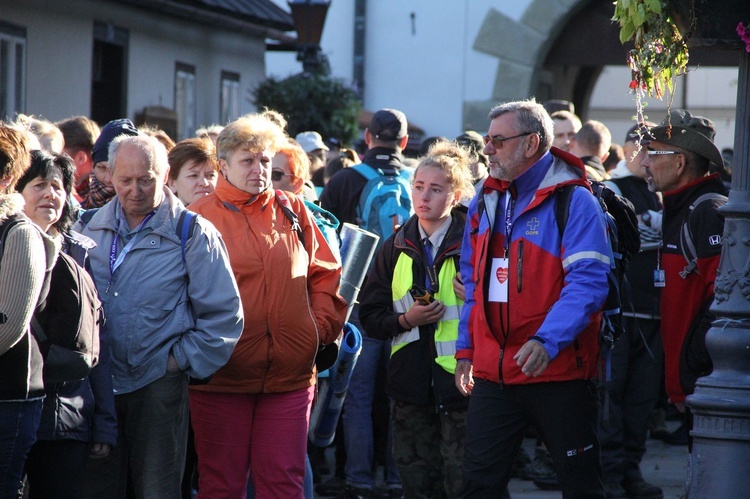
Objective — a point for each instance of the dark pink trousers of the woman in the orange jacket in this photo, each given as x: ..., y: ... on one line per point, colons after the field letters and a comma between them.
x: 236, y: 434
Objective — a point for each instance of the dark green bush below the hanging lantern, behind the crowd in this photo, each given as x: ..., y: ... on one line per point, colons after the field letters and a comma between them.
x: 312, y: 101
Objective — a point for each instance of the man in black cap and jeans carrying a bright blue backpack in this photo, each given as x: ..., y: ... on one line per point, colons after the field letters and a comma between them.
x: 386, y: 137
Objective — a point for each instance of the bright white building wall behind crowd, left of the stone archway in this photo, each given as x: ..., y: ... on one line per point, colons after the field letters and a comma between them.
x: 427, y: 74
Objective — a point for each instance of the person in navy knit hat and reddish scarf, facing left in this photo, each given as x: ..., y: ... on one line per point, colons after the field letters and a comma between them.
x: 100, y: 189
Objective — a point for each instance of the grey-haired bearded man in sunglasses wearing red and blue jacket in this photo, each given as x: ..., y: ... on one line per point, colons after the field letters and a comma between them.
x: 528, y: 345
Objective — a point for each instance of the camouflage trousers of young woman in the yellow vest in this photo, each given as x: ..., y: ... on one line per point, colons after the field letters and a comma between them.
x: 428, y: 449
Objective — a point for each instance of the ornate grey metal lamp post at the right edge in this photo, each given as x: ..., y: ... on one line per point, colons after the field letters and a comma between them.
x: 721, y: 402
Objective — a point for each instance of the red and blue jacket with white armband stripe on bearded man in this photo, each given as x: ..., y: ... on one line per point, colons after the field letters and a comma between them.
x: 557, y: 284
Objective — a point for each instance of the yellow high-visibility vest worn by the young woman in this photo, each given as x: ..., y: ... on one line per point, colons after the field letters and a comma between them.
x: 446, y: 333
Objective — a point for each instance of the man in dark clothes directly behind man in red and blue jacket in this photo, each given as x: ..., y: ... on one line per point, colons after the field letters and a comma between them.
x: 636, y: 360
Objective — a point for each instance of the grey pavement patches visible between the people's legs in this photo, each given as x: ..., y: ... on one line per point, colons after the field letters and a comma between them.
x: 663, y: 465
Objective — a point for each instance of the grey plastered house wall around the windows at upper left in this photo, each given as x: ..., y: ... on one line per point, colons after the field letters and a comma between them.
x: 60, y: 46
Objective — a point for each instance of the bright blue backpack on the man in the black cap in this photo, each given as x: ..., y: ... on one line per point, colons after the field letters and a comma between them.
x: 385, y: 203
